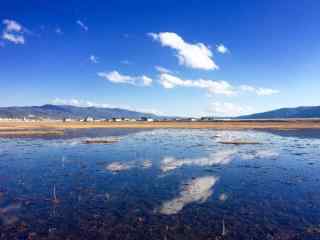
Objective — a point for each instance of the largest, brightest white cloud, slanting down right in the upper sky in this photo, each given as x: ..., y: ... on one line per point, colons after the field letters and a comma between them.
x: 197, y: 55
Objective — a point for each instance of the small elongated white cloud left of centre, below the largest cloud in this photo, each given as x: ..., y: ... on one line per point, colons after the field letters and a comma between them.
x: 116, y: 77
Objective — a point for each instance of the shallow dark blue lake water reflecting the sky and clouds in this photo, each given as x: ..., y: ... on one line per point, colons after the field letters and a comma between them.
x: 161, y: 184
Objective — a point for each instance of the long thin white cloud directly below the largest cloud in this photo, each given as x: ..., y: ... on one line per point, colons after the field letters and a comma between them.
x: 213, y: 87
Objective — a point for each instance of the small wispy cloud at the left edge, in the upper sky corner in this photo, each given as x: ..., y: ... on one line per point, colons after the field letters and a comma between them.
x: 13, y: 32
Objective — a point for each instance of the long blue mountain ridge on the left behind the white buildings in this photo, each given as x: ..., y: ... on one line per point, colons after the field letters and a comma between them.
x: 67, y: 111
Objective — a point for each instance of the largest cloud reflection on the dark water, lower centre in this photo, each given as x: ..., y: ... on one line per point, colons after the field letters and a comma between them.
x: 198, y: 190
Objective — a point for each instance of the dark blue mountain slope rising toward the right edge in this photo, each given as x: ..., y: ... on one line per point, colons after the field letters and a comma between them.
x: 298, y: 112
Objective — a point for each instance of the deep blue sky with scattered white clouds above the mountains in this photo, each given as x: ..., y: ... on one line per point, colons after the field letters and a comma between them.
x: 187, y: 58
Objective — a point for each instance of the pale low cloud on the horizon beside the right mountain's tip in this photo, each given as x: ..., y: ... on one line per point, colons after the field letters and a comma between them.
x: 226, y: 109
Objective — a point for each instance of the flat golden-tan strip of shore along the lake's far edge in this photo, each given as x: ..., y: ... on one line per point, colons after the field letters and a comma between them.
x: 55, y: 127
